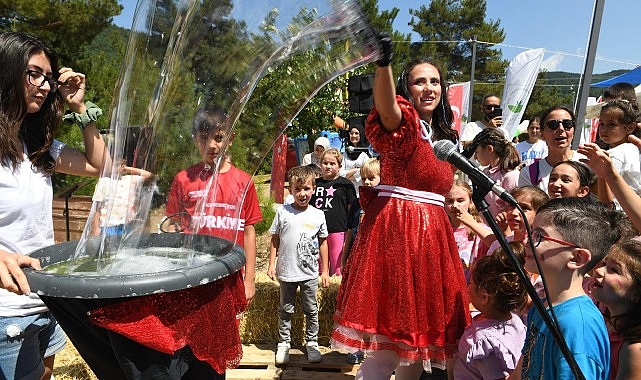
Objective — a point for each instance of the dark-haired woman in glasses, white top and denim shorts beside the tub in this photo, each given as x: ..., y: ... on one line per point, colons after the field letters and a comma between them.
x: 33, y: 93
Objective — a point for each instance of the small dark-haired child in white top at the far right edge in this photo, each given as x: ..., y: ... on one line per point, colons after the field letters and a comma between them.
x: 617, y: 121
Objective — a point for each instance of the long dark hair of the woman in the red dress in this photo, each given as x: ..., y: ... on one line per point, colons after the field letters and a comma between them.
x: 442, y: 117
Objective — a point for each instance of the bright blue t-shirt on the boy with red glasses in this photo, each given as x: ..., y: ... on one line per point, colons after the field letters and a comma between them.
x: 584, y: 330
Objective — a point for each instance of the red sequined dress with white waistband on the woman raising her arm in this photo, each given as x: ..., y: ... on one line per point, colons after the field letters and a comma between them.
x: 403, y: 288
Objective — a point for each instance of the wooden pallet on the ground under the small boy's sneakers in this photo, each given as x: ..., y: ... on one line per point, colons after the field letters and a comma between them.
x: 258, y: 364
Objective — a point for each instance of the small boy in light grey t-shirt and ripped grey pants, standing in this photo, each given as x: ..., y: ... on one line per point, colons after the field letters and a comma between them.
x: 299, y: 234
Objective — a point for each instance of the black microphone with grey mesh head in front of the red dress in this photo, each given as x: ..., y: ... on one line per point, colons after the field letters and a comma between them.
x: 445, y: 150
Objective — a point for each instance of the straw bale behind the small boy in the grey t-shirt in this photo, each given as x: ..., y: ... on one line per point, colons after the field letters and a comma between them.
x: 259, y: 323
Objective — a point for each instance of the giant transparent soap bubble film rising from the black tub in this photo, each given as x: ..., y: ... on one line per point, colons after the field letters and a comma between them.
x: 255, y: 64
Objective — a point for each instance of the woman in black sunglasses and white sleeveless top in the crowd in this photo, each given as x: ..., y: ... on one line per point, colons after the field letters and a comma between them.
x: 558, y: 124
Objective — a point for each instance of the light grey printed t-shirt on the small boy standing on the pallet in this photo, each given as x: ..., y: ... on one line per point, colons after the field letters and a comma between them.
x: 298, y: 253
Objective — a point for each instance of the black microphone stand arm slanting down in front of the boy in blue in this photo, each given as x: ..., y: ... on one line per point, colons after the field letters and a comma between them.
x: 478, y: 197
